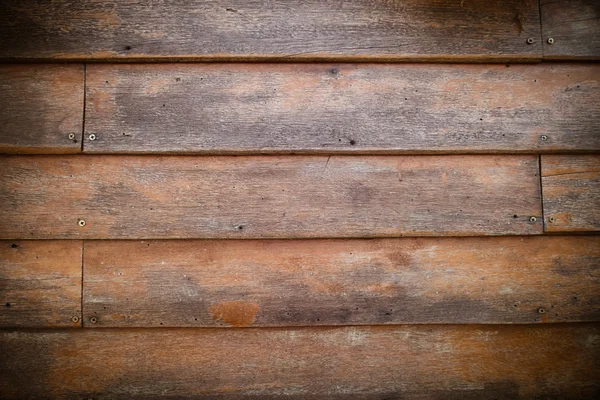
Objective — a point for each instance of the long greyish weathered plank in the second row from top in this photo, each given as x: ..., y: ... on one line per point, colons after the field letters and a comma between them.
x: 369, y: 108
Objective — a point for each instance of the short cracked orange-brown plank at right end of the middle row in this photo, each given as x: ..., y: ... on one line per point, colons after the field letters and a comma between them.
x: 571, y: 187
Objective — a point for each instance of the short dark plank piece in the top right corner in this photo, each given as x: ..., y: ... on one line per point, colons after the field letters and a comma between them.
x: 574, y: 27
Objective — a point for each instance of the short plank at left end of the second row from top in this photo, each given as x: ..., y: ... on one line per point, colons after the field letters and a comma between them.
x: 40, y: 106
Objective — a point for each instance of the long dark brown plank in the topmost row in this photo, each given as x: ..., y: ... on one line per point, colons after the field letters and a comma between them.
x: 443, y: 30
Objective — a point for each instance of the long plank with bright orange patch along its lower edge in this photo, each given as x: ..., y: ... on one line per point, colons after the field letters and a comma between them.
x: 341, y: 282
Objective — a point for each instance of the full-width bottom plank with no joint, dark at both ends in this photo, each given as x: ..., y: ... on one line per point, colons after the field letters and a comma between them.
x: 408, y: 362
